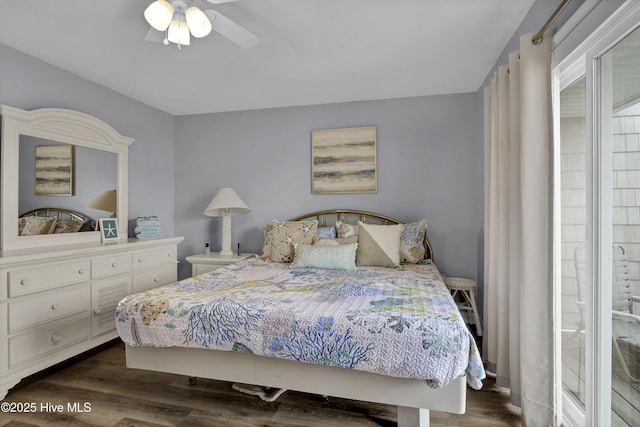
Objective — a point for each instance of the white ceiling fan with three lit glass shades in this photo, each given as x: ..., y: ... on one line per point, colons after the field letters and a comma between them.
x: 175, y: 21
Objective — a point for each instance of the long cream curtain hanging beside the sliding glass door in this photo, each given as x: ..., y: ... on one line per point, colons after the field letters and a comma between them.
x: 518, y: 295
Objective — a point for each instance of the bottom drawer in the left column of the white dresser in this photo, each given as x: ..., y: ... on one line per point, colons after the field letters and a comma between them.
x: 37, y: 343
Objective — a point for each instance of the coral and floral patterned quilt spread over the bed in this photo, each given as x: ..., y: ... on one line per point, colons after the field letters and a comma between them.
x: 400, y: 322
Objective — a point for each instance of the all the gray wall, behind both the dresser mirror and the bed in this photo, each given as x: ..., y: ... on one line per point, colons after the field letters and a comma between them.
x: 429, y: 159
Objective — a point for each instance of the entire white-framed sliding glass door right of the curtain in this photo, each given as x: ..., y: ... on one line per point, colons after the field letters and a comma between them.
x: 597, y: 211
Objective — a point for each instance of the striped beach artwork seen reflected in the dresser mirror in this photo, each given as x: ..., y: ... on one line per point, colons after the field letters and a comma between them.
x: 54, y: 170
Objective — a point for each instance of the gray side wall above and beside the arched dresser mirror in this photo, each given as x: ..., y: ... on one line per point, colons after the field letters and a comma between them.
x: 28, y: 83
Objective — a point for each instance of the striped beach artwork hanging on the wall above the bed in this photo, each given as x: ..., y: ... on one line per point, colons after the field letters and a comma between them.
x: 344, y: 160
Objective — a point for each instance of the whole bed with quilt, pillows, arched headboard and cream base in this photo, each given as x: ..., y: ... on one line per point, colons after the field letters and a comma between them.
x: 313, y: 323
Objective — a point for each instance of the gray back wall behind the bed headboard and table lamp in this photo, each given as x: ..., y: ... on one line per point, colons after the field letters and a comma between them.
x: 430, y: 152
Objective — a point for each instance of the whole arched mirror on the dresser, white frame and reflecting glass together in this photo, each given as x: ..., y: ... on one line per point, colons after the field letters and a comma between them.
x: 61, y: 159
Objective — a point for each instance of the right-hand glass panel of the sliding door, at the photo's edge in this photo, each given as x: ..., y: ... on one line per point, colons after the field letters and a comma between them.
x: 619, y: 96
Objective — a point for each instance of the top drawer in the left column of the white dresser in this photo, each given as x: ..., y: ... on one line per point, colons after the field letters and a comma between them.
x: 22, y: 282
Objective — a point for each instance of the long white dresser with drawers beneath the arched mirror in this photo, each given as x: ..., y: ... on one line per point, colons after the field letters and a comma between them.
x: 57, y: 302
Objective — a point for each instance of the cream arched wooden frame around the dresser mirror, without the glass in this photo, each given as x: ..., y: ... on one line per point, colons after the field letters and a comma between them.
x: 60, y: 125
